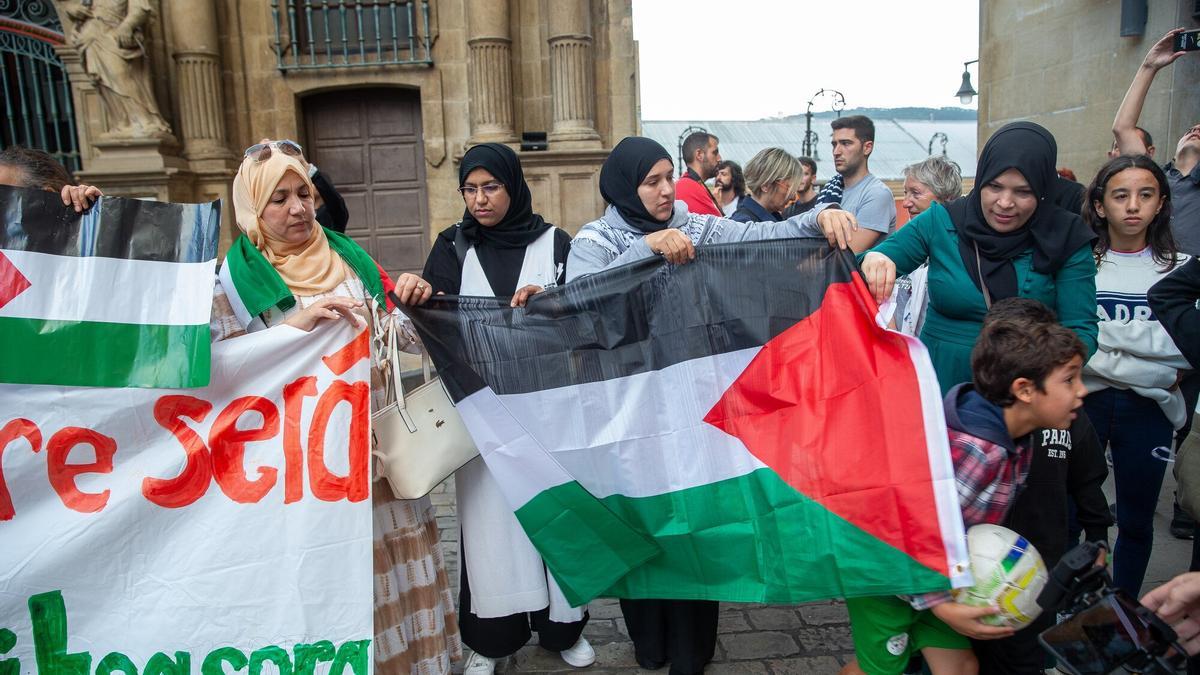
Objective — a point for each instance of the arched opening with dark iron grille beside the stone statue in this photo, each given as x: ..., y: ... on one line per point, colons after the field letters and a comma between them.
x: 39, y: 112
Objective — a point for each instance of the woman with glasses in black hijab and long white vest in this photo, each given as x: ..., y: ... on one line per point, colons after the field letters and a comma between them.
x: 500, y: 249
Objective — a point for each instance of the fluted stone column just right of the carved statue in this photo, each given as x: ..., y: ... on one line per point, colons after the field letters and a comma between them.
x: 199, y: 65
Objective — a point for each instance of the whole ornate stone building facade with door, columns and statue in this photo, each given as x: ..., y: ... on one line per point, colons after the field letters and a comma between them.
x: 385, y: 95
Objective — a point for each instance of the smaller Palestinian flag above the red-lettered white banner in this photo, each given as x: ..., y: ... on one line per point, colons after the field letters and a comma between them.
x: 118, y: 296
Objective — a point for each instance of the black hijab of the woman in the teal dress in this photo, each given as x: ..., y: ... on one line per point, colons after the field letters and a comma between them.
x: 1053, y: 232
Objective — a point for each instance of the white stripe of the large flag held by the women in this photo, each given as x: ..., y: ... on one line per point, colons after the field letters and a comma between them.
x: 638, y: 437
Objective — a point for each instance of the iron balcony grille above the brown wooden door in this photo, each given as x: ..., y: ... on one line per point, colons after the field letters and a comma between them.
x: 340, y: 34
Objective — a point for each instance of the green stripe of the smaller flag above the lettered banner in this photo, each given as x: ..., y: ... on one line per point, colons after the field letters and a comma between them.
x: 71, y: 354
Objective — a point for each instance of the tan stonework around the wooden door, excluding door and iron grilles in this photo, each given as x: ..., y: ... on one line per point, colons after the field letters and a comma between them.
x: 586, y: 45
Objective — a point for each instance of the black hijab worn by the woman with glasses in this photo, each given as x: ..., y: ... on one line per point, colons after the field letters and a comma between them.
x: 520, y: 226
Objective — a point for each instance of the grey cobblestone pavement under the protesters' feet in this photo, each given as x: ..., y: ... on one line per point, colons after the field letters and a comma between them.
x: 755, y: 640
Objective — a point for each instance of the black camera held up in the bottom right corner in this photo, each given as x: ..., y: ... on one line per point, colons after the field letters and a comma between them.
x: 1106, y: 629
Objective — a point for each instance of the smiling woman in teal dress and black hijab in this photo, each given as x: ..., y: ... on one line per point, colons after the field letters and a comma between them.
x: 1006, y: 238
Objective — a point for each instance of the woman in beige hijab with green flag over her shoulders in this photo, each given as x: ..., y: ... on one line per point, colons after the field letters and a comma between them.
x: 285, y: 268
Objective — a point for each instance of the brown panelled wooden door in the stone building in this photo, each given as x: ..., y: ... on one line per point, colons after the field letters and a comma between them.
x: 369, y: 144
